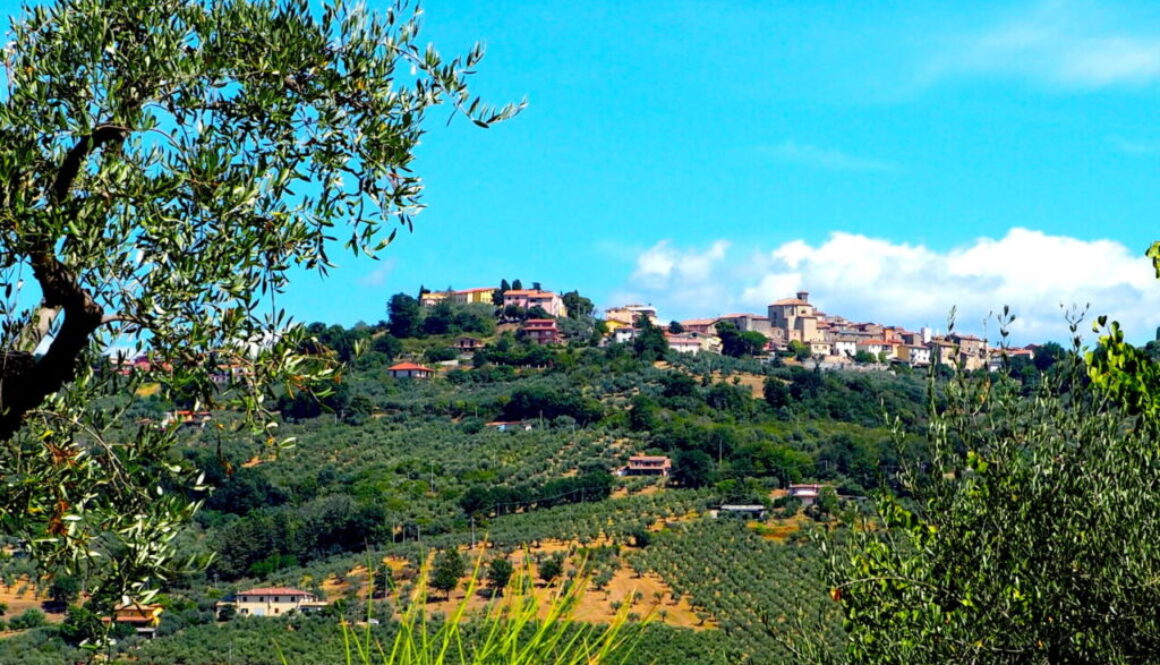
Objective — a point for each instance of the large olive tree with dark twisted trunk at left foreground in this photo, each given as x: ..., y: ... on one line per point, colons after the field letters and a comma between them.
x: 165, y: 167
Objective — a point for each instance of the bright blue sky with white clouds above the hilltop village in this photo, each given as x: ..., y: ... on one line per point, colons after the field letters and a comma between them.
x: 893, y: 158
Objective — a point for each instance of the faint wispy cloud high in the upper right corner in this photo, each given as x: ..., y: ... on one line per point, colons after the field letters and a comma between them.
x: 1063, y: 45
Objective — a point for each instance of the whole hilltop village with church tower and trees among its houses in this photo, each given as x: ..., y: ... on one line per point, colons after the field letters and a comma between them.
x: 792, y: 328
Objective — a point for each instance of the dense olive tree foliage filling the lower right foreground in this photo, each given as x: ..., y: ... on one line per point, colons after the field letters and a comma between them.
x: 1034, y: 536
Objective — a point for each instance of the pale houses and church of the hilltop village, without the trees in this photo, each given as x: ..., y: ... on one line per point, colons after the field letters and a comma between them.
x: 833, y: 341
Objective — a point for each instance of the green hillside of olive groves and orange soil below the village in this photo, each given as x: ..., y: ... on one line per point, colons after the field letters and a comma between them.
x: 398, y: 469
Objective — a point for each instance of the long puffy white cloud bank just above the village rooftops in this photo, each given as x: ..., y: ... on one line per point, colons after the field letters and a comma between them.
x: 873, y: 279
